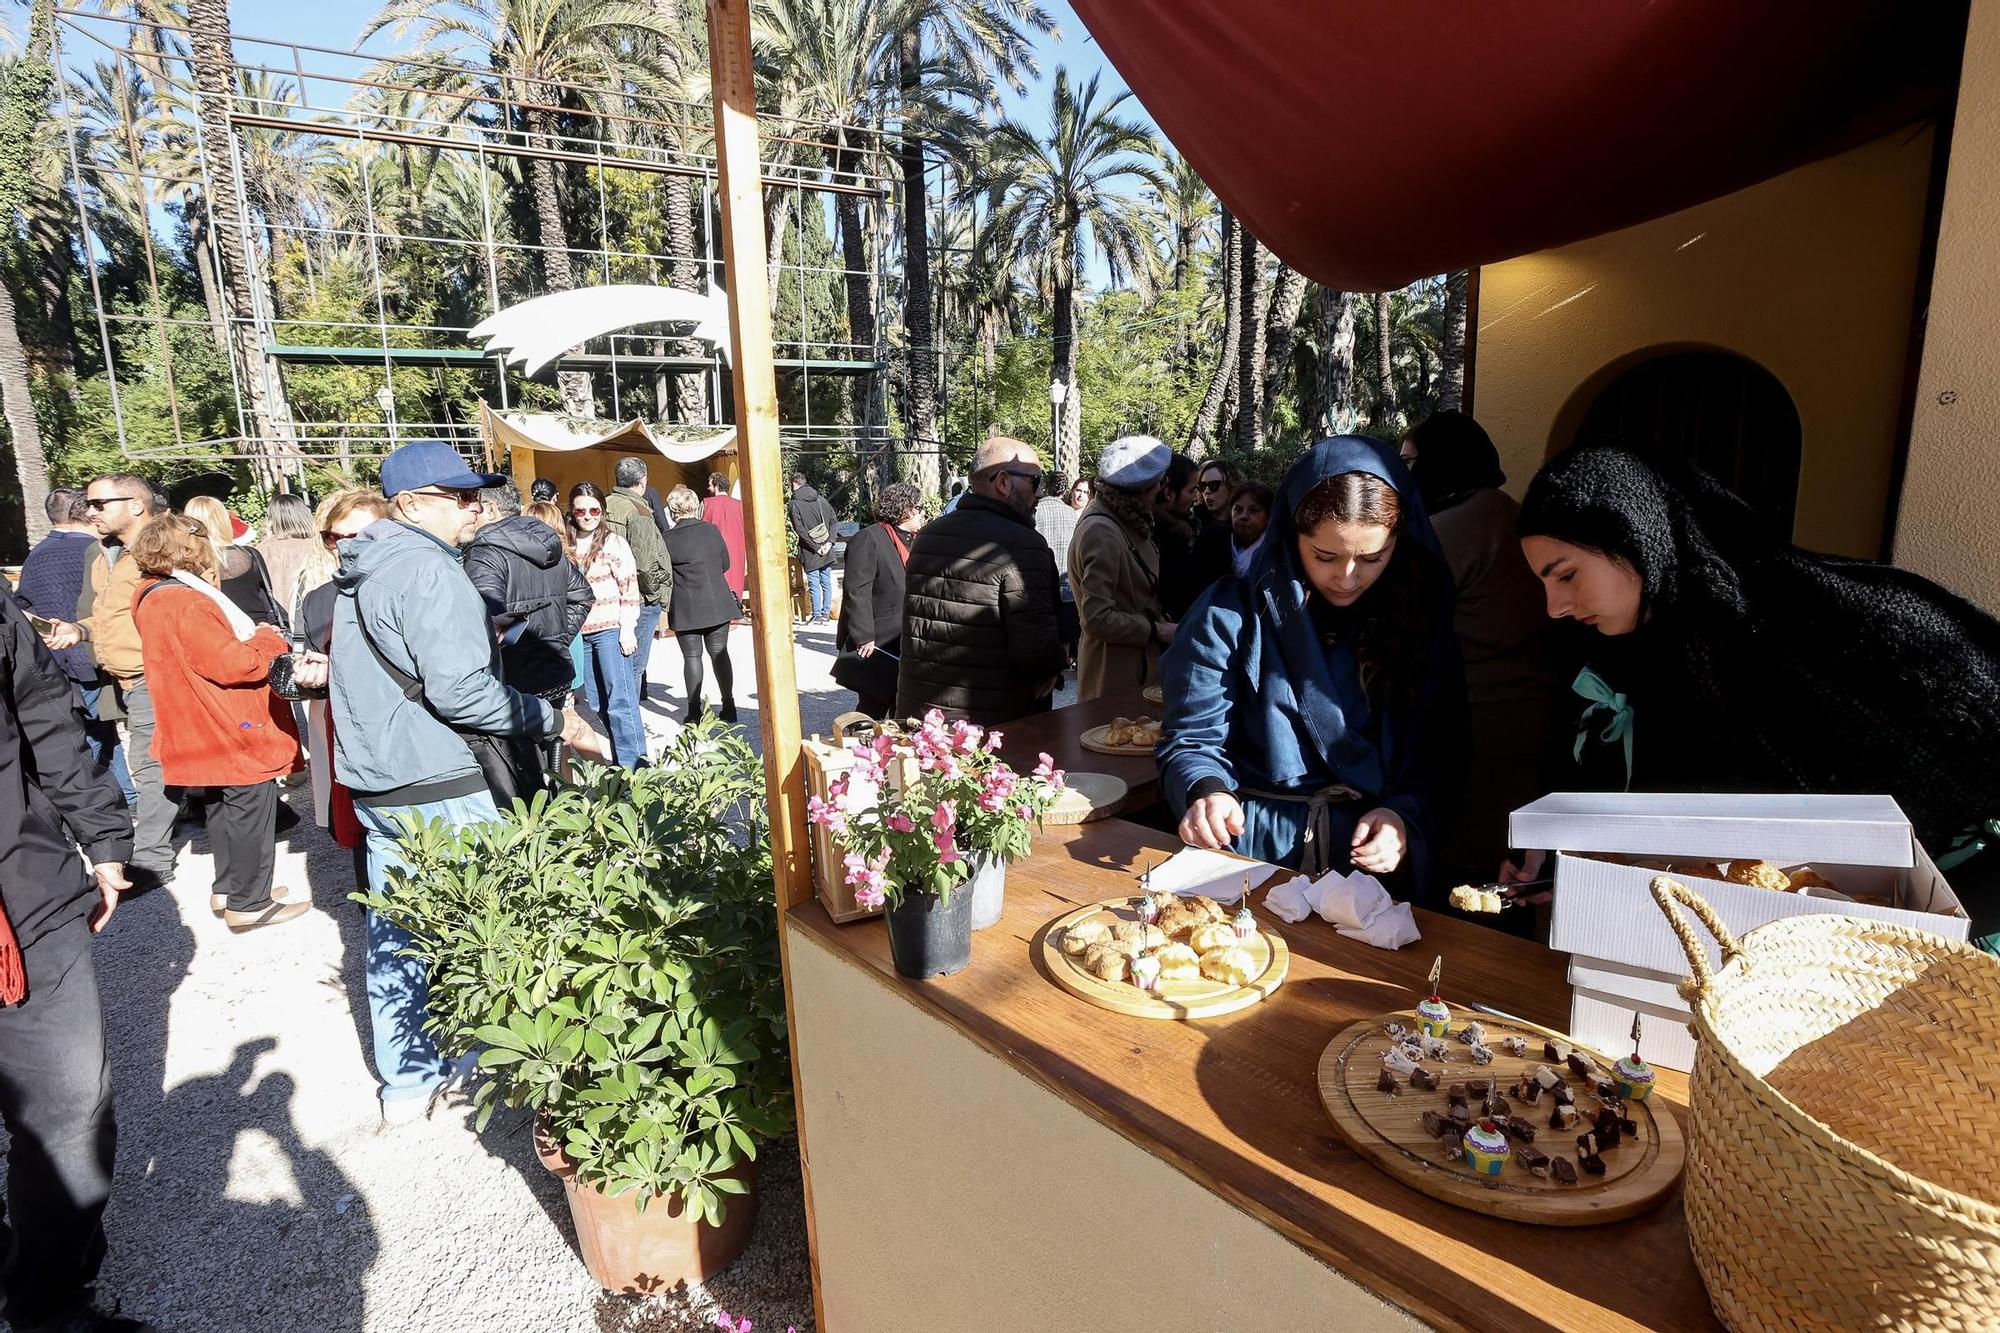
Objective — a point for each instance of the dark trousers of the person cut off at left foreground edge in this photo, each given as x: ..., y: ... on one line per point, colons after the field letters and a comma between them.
x: 57, y: 1104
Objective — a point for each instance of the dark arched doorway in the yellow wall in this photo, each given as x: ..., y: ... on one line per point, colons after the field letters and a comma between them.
x: 1721, y: 411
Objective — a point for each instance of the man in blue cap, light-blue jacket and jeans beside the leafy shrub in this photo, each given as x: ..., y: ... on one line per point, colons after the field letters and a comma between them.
x: 413, y: 670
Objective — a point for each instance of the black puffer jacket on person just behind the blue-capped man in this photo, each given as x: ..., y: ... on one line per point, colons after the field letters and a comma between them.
x: 537, y: 599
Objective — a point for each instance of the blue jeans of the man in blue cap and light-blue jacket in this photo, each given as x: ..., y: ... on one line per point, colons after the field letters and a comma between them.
x: 399, y: 992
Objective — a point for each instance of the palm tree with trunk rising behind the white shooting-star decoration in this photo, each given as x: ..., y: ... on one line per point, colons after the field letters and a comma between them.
x: 523, y: 55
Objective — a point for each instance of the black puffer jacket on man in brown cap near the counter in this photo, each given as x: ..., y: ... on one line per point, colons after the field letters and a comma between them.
x: 979, y: 633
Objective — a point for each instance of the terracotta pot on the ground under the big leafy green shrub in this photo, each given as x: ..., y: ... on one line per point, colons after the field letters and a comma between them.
x: 659, y: 1250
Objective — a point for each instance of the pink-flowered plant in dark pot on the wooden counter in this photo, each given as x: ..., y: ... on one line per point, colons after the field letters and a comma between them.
x: 927, y: 822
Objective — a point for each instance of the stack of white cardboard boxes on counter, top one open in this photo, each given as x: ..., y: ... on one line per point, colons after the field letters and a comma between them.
x: 1625, y: 956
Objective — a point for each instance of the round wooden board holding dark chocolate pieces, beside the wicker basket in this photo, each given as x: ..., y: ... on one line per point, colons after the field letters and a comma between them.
x: 1391, y: 1130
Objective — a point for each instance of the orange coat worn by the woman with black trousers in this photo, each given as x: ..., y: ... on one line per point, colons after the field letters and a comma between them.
x: 215, y: 720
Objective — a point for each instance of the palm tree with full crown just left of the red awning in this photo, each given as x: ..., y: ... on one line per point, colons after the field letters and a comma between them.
x: 1059, y: 193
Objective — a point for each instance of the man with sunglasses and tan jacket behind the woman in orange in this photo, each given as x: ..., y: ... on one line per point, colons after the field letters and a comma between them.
x: 119, y: 507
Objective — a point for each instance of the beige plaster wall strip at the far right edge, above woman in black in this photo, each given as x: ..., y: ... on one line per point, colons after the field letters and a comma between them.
x: 1949, y: 527
